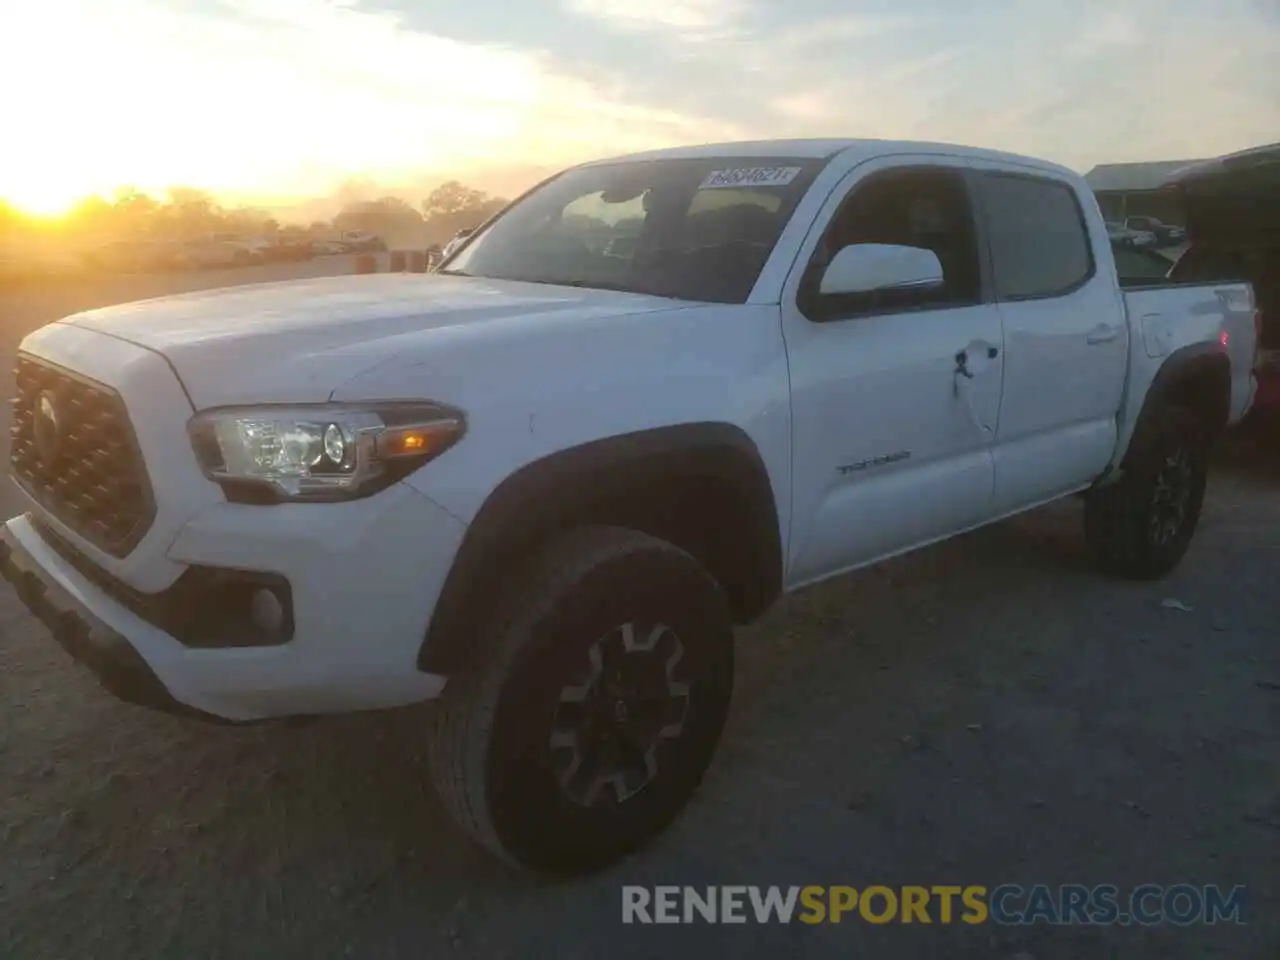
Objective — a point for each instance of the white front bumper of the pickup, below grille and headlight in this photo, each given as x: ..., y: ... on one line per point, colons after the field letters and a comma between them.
x: 363, y: 580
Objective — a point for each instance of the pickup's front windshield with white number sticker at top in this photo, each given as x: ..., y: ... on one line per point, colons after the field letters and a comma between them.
x: 687, y: 228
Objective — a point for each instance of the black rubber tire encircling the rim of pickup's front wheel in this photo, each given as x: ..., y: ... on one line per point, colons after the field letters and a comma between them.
x: 490, y: 753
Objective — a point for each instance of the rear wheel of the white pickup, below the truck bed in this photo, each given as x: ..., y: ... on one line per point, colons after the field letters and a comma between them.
x: 1141, y: 527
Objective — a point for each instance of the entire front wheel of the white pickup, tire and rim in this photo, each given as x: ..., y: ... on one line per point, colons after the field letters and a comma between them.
x: 592, y: 706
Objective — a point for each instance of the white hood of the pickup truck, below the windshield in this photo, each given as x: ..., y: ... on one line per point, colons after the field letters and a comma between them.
x: 296, y: 342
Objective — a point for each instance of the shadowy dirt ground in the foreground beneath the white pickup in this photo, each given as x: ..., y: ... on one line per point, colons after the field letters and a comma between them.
x: 984, y: 712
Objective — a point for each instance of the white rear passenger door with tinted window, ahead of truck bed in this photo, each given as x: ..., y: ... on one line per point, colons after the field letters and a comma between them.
x: 1066, y: 336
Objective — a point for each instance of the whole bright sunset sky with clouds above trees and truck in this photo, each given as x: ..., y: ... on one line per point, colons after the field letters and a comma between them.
x: 272, y: 100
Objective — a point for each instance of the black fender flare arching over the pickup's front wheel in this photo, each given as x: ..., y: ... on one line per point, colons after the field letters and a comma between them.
x: 574, y: 486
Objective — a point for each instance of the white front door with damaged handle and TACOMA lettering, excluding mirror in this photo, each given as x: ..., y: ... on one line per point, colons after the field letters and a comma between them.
x: 892, y: 445
